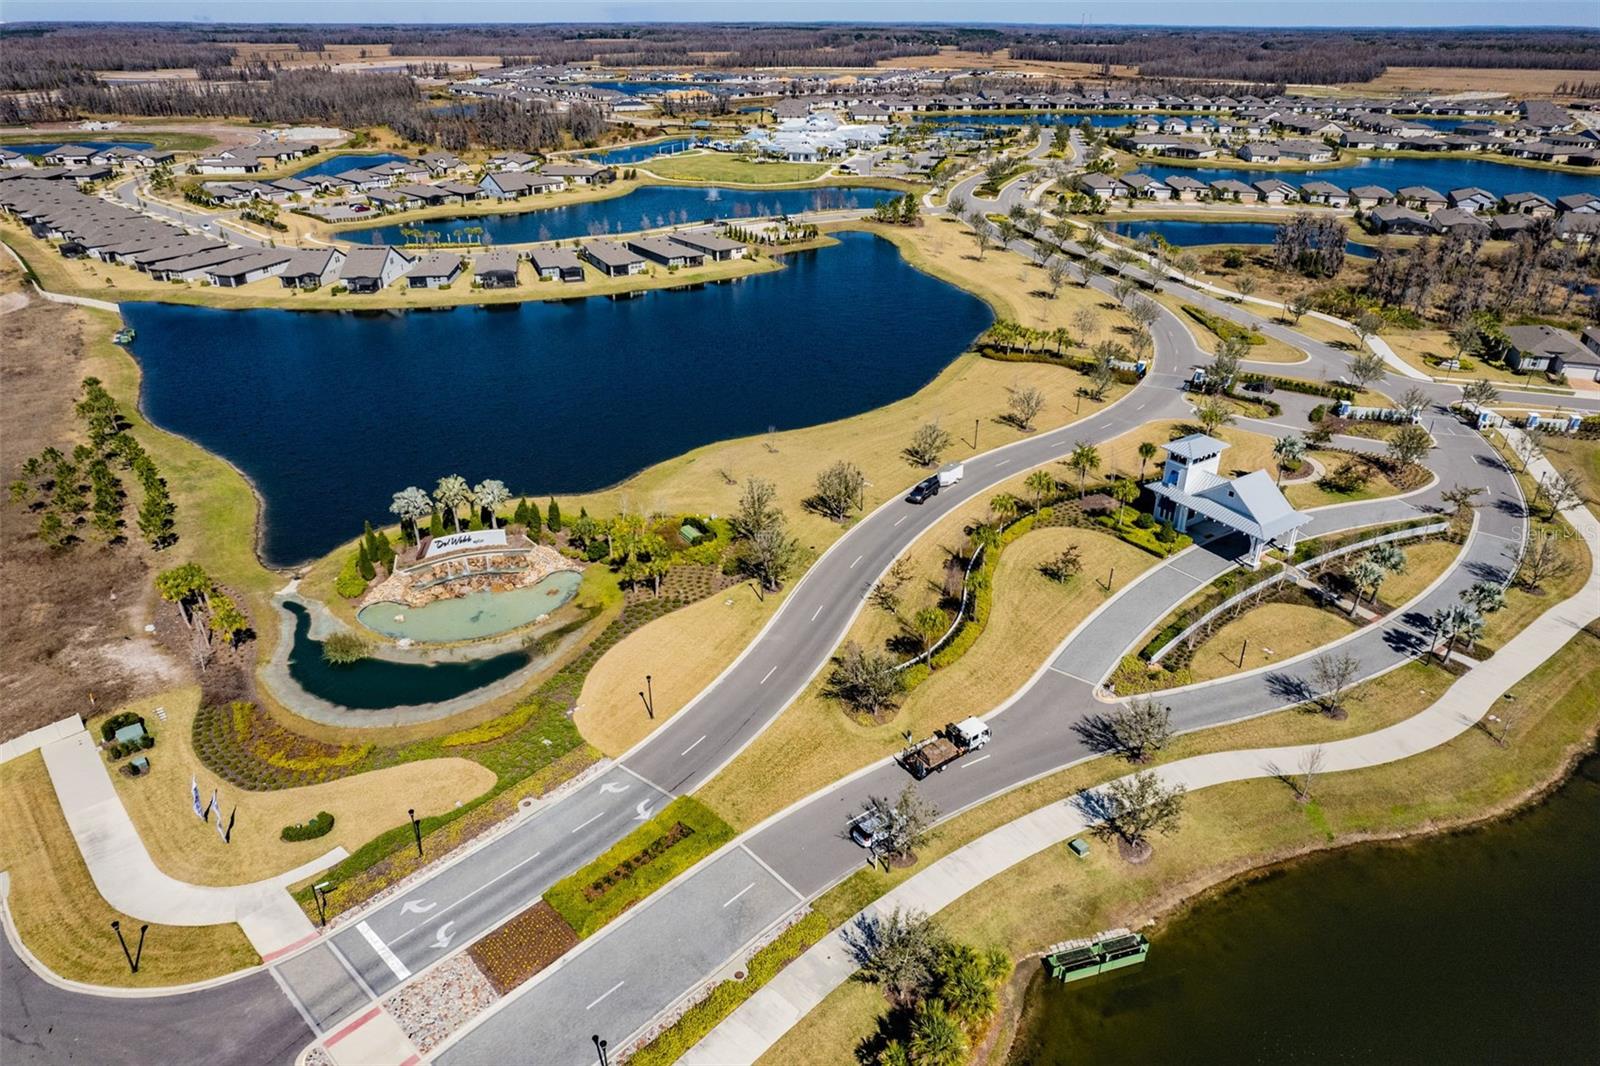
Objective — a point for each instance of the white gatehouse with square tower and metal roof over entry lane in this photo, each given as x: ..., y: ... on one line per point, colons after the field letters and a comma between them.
x: 1191, y: 492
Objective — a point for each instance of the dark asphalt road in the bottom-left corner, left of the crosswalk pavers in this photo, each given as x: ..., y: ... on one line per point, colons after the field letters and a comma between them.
x: 246, y: 1022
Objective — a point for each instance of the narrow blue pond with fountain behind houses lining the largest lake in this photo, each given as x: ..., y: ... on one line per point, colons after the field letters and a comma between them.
x: 644, y: 209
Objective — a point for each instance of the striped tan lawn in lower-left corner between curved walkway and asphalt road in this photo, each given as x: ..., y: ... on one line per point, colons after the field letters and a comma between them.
x: 63, y: 918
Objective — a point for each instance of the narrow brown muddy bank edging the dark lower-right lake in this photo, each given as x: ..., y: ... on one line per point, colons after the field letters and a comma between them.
x: 1180, y: 904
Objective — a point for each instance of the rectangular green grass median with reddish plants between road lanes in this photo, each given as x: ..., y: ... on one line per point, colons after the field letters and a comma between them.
x: 588, y: 904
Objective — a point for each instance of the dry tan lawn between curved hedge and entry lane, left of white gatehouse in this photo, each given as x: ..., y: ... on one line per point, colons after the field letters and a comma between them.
x: 815, y: 742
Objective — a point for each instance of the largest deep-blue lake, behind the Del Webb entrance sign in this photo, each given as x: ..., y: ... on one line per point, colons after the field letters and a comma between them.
x: 329, y: 414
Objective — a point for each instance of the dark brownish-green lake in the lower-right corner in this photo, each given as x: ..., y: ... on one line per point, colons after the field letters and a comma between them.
x: 1466, y: 948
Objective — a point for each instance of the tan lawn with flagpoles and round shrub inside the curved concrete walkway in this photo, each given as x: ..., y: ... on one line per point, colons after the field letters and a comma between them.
x: 362, y: 808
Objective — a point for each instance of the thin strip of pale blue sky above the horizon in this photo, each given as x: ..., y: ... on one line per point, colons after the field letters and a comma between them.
x: 1034, y: 12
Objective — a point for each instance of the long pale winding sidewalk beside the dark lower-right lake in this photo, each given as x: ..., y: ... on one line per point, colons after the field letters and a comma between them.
x: 758, y: 1025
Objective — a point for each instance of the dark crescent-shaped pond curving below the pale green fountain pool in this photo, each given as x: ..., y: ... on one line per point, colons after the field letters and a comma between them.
x: 380, y: 684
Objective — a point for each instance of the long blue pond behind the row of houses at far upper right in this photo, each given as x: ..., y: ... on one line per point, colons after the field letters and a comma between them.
x: 1442, y: 175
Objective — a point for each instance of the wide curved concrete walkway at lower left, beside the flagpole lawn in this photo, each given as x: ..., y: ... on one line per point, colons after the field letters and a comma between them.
x: 129, y: 880
